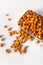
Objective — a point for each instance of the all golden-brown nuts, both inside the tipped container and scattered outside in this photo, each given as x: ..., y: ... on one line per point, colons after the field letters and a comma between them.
x: 31, y: 26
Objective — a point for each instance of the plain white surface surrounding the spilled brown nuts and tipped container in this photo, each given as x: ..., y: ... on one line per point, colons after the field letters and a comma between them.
x: 16, y: 8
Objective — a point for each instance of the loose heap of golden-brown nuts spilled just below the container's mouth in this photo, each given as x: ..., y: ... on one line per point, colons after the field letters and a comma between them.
x: 20, y: 39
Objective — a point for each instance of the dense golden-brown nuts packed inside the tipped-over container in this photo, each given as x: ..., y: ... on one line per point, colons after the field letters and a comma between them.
x: 32, y: 23
